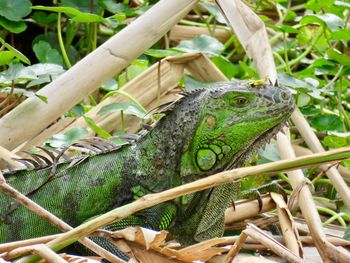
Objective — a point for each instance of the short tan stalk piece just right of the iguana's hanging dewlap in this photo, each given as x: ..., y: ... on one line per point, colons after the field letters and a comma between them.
x: 244, y: 210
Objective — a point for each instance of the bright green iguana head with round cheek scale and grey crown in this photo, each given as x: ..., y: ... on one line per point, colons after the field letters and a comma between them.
x: 235, y: 119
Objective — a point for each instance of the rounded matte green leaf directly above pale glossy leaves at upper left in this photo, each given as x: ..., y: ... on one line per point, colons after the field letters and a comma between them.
x: 46, y: 54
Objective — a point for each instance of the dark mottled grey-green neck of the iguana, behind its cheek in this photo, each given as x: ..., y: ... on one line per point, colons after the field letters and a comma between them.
x: 159, y: 153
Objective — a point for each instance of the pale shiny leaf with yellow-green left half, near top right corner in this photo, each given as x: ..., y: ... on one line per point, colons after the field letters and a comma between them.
x: 332, y: 21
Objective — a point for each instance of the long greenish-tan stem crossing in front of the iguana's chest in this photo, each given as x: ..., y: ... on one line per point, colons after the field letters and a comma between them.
x: 205, y: 183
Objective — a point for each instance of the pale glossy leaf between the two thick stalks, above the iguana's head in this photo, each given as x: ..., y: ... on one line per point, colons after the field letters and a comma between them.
x: 202, y: 43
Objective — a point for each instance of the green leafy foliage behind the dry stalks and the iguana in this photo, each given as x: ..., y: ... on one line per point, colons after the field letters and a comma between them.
x: 310, y: 41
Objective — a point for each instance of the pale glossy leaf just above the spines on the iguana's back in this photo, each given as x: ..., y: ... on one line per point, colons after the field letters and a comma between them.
x: 69, y: 137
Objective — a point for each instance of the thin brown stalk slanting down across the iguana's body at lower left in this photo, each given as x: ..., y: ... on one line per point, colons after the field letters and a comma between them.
x: 22, y: 199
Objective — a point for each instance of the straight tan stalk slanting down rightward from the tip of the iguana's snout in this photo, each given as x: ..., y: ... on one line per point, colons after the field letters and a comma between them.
x: 315, y: 145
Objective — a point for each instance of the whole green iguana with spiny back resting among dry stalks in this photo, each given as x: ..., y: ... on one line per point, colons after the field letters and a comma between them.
x: 204, y: 132
